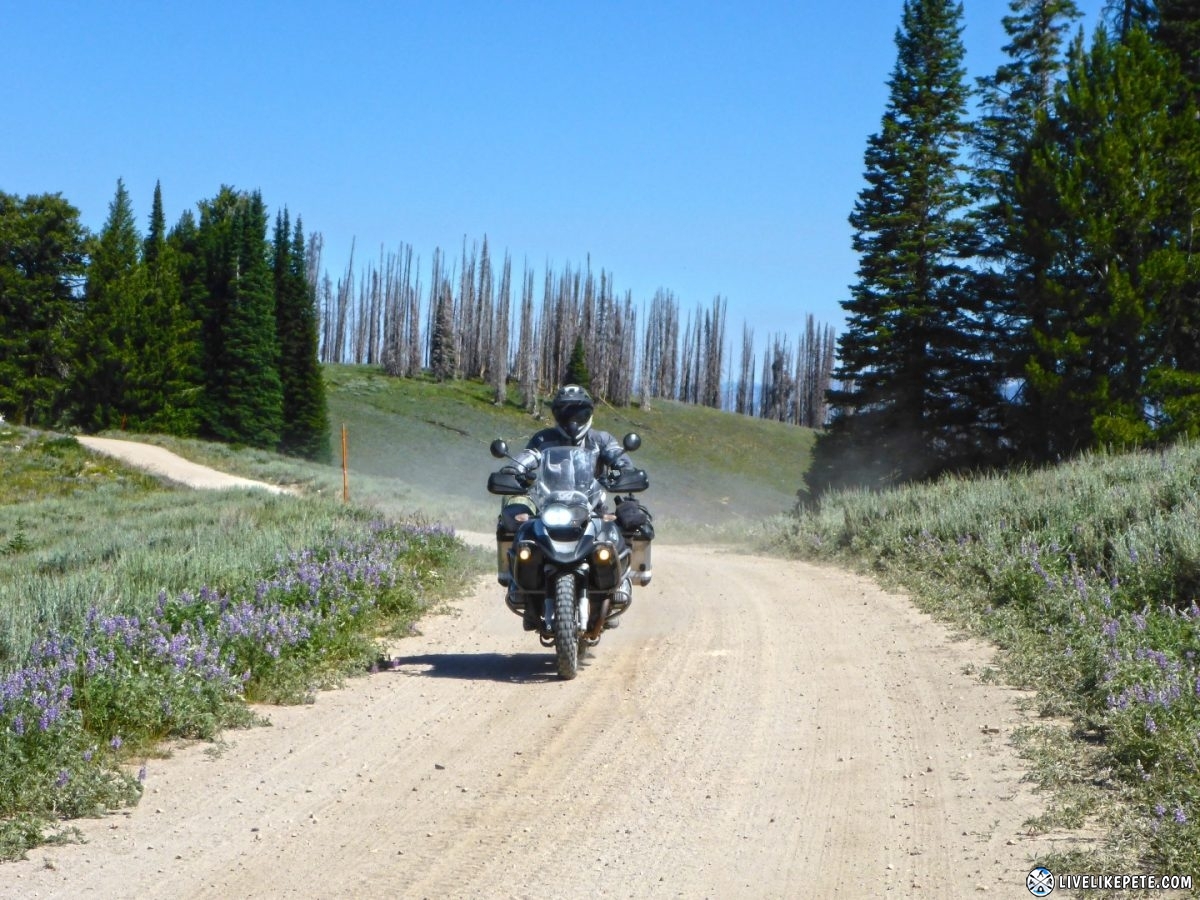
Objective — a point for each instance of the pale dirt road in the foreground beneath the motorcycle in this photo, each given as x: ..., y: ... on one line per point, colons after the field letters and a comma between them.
x: 755, y: 729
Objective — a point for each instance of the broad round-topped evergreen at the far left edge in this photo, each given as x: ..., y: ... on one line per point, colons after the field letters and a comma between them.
x: 41, y: 263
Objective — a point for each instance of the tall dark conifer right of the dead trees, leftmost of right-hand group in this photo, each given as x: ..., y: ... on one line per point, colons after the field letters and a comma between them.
x: 917, y: 389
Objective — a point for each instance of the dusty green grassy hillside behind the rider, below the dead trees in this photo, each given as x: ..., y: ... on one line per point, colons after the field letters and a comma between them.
x: 425, y: 445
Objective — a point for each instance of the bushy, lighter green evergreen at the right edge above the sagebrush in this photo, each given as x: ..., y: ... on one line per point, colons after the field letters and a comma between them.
x: 1107, y: 208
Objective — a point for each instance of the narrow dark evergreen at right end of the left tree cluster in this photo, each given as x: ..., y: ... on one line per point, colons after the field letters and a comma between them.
x: 305, y: 423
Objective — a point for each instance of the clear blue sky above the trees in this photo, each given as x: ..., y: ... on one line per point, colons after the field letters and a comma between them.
x: 712, y: 149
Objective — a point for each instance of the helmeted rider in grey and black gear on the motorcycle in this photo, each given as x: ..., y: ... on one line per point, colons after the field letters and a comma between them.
x: 573, y: 410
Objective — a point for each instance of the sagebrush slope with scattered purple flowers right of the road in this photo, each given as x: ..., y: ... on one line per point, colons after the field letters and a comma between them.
x: 1088, y: 577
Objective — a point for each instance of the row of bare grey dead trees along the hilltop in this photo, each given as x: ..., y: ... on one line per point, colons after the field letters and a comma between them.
x: 375, y: 317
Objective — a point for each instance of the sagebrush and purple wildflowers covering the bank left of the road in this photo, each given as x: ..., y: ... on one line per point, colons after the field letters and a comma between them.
x: 133, y: 613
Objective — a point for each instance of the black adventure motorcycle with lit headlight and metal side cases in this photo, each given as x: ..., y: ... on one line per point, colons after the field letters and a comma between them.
x: 572, y: 561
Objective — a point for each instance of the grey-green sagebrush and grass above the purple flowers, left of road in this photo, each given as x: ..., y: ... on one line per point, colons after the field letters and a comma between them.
x: 79, y: 531
